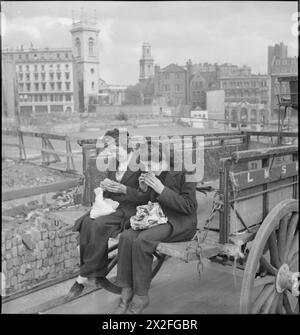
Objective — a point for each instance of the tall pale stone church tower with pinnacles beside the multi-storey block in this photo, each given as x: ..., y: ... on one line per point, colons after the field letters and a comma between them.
x: 85, y: 47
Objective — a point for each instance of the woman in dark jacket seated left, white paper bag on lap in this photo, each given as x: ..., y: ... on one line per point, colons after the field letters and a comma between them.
x: 120, y: 185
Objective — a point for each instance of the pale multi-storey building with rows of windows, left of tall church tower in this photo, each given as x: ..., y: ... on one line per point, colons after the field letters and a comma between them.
x: 44, y: 79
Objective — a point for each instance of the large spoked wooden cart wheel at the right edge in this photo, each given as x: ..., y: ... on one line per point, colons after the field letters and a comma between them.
x: 270, y: 283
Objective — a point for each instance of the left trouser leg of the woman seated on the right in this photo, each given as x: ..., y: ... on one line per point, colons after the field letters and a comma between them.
x: 124, y: 270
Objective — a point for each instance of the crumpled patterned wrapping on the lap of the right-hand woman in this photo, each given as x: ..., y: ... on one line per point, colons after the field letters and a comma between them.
x: 148, y: 216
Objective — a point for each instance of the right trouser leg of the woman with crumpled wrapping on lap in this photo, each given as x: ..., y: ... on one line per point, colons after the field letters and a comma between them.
x: 142, y: 256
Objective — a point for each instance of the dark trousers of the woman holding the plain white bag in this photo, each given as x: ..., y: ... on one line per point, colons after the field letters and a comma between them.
x: 94, y: 243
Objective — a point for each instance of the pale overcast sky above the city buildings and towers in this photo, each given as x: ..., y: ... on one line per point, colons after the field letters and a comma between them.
x: 234, y: 32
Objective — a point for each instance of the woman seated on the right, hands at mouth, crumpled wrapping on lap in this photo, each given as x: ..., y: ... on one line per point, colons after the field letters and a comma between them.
x: 177, y: 199
